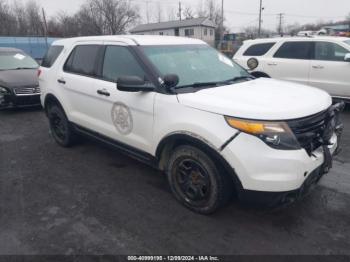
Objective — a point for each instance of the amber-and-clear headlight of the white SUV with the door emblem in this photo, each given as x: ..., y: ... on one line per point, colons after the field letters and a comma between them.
x: 277, y: 135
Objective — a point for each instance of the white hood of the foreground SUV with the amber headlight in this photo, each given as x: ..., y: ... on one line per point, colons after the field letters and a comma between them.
x: 260, y: 99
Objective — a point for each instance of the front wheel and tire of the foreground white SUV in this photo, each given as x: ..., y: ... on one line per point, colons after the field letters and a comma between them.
x: 196, y: 182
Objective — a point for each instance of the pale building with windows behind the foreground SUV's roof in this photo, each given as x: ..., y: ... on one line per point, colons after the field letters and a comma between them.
x: 201, y: 28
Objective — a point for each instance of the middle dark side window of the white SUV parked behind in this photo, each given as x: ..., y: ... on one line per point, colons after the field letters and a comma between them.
x: 295, y: 50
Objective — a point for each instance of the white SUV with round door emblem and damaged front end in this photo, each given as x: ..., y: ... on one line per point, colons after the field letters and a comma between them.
x: 186, y: 109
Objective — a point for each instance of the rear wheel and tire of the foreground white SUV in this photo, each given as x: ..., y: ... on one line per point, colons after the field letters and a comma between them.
x: 60, y: 127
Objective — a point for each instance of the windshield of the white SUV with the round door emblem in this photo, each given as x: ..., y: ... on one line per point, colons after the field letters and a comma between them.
x: 193, y: 63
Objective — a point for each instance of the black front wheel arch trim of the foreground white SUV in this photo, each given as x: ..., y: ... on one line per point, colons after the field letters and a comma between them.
x: 172, y: 141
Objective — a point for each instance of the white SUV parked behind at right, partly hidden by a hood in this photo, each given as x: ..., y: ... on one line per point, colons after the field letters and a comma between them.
x: 322, y: 62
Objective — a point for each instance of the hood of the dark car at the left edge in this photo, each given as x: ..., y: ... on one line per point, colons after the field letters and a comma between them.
x: 17, y: 78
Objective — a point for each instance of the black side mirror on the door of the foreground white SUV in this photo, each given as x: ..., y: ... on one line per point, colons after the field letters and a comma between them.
x: 133, y: 84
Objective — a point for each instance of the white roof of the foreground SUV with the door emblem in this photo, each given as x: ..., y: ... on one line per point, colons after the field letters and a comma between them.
x: 133, y: 40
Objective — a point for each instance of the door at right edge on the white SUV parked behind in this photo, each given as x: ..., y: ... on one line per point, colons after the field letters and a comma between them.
x: 328, y: 70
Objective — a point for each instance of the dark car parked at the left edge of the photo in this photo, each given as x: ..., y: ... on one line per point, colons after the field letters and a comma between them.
x: 19, y: 86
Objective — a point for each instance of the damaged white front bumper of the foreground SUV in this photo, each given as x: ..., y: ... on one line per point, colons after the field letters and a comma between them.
x: 264, y: 169
